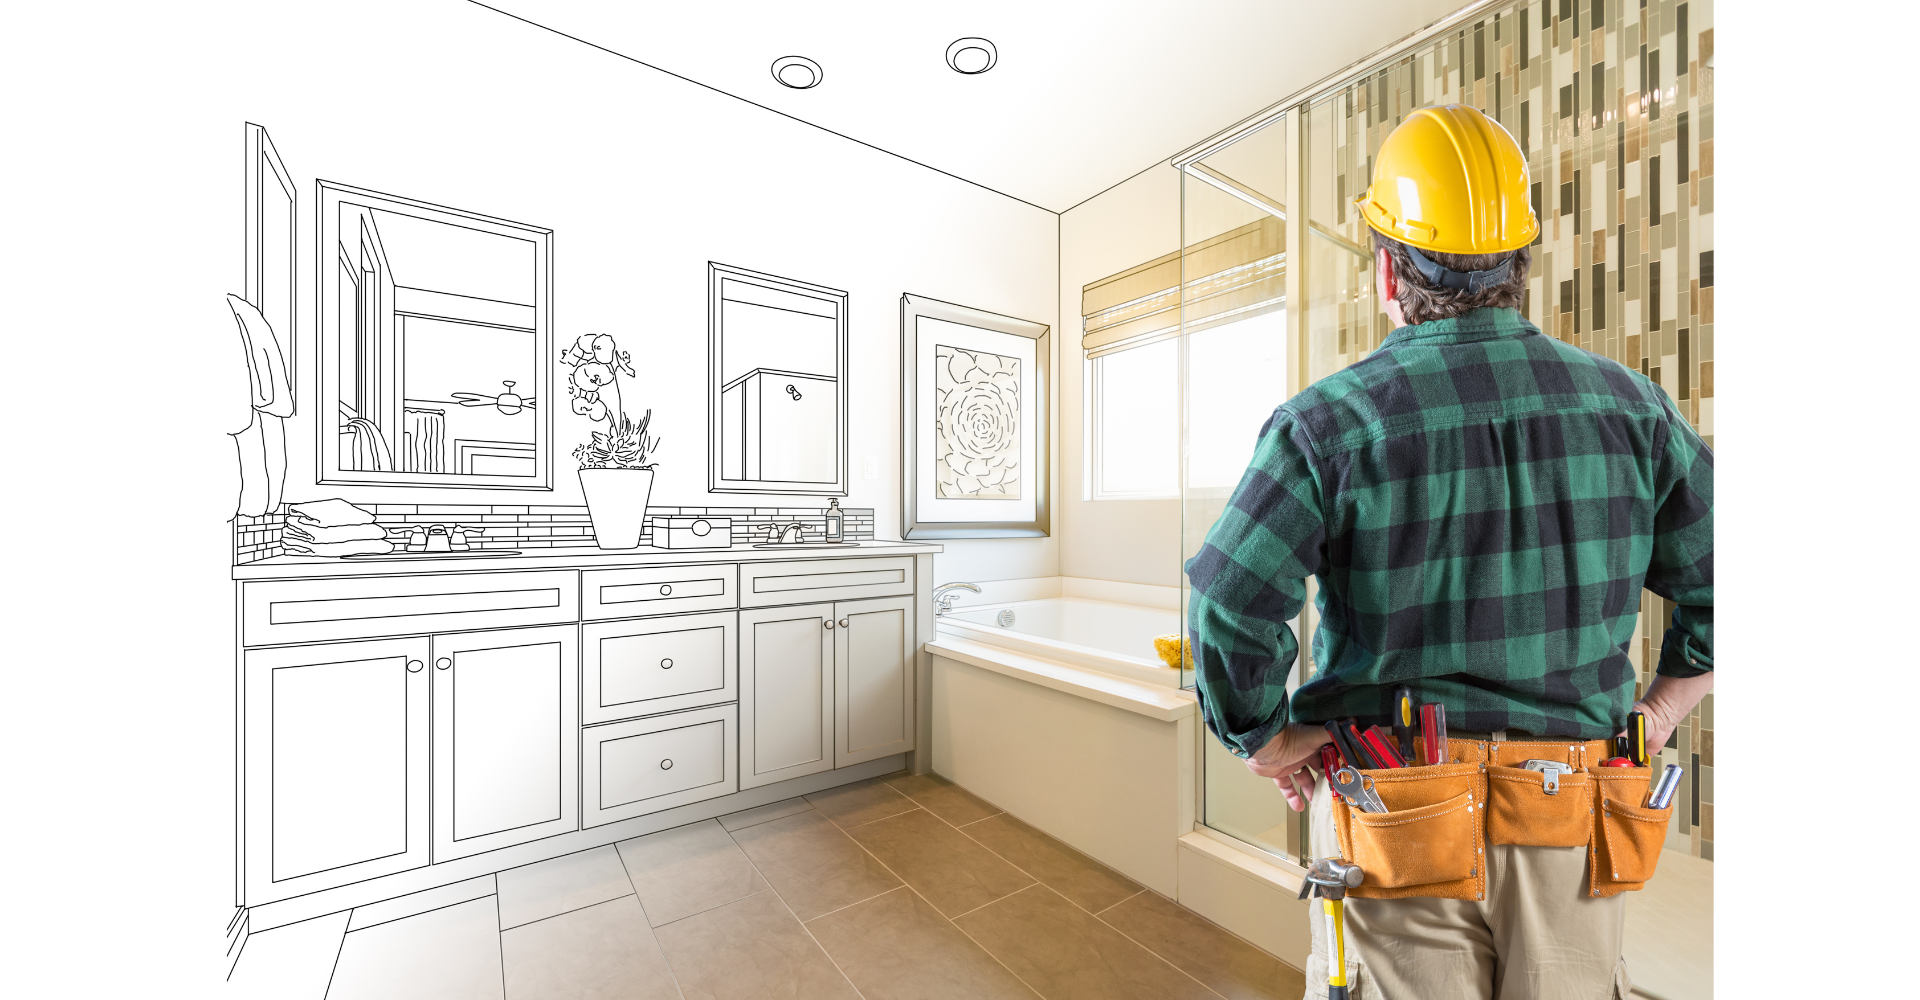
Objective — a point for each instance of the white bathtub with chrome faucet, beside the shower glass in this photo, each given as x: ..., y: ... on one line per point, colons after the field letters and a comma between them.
x: 1095, y: 634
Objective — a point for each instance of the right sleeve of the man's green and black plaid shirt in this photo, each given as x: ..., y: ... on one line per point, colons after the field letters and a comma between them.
x: 1681, y: 567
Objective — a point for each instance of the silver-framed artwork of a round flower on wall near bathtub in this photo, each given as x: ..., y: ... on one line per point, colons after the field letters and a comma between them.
x: 976, y: 423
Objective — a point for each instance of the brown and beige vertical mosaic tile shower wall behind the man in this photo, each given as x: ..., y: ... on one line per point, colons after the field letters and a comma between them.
x: 1614, y: 105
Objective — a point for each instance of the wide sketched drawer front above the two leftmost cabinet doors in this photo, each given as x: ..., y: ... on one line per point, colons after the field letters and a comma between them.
x: 304, y: 611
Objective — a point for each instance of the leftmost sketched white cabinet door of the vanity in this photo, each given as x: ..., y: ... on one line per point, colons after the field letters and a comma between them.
x: 335, y: 765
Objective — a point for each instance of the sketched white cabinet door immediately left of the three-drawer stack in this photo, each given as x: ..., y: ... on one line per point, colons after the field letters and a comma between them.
x: 506, y: 738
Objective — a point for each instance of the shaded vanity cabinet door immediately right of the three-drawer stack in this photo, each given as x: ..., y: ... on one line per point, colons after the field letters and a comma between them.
x: 786, y: 694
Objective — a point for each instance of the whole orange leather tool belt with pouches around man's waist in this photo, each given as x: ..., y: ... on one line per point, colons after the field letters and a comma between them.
x: 1441, y: 819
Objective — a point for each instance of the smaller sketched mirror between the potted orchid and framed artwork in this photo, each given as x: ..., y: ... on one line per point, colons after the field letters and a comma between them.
x: 779, y: 385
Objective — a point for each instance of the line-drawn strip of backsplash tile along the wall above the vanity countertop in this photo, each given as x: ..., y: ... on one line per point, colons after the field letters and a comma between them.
x: 533, y: 527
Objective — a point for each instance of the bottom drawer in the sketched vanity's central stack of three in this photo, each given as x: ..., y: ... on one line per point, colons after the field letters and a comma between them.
x: 633, y: 769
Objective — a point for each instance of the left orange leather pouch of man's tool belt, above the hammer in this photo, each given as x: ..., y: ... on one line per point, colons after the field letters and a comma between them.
x: 1428, y: 844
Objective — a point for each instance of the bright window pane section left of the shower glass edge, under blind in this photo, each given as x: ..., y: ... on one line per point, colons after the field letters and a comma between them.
x: 1134, y: 423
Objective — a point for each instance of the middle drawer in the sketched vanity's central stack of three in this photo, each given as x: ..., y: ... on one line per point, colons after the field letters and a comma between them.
x: 658, y: 665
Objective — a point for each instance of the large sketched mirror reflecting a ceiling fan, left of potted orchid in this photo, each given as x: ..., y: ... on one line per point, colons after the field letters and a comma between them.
x: 437, y: 345
